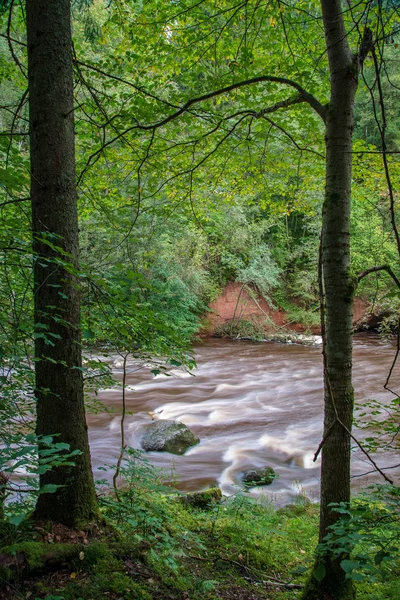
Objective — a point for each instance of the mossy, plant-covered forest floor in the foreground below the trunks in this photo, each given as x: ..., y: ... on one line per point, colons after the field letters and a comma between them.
x: 150, y: 545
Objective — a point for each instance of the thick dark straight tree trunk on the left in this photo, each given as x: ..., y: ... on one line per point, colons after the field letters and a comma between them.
x: 59, y: 384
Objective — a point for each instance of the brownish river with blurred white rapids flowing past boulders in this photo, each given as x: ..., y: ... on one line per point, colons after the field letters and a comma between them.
x: 251, y: 404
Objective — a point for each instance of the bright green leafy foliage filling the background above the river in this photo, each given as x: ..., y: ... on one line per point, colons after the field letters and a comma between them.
x: 171, y: 209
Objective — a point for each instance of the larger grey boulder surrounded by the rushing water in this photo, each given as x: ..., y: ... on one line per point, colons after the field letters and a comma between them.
x: 168, y: 436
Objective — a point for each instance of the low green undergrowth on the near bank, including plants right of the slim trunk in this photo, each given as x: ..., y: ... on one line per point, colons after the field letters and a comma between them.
x: 155, y: 546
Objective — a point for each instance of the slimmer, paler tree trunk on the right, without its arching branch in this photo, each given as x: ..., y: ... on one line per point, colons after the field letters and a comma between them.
x: 339, y: 289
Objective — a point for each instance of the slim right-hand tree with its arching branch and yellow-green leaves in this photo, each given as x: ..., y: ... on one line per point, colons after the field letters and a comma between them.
x: 216, y: 66
